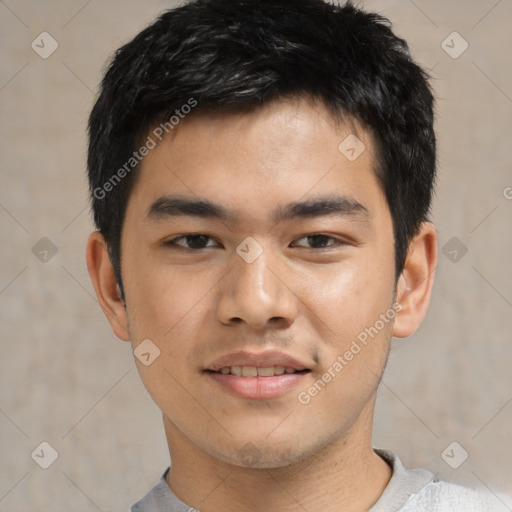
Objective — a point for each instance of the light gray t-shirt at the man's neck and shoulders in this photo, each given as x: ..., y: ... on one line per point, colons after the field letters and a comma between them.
x: 409, y: 490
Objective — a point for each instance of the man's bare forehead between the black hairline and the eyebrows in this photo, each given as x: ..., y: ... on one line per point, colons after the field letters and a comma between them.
x: 285, y: 151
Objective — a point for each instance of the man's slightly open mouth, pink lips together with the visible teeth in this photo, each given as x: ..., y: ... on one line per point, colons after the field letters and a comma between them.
x: 262, y: 376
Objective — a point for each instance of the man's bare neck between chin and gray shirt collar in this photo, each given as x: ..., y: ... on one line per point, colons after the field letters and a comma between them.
x: 346, y: 475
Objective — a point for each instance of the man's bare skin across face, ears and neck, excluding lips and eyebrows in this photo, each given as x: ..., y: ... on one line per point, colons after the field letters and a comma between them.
x: 307, y: 301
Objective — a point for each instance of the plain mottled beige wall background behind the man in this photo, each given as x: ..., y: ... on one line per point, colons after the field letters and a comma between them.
x: 67, y: 380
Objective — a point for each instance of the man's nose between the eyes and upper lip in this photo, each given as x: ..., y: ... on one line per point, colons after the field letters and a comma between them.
x: 257, y: 294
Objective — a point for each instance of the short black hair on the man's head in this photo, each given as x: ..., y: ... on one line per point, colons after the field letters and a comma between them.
x: 233, y: 55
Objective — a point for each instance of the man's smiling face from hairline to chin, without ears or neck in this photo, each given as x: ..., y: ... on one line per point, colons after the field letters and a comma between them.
x: 299, y: 266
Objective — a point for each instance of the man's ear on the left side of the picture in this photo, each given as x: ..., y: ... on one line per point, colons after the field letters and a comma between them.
x: 105, y: 285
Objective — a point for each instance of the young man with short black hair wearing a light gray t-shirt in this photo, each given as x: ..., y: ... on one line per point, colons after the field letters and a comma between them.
x: 261, y: 174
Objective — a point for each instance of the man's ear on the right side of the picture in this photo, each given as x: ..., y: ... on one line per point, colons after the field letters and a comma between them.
x: 415, y: 283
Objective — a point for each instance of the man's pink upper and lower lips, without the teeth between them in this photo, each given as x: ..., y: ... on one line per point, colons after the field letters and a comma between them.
x: 257, y: 388
